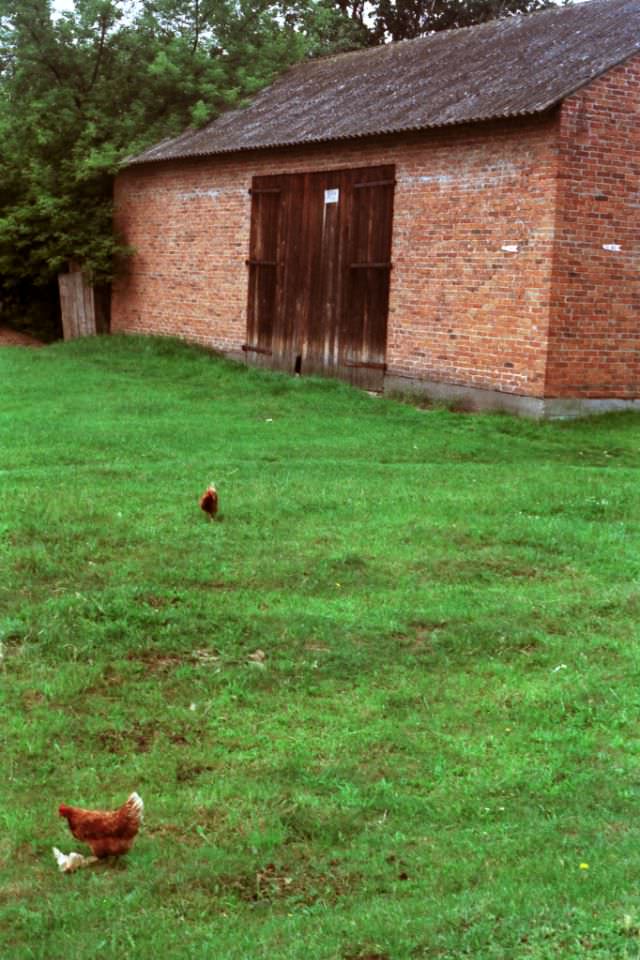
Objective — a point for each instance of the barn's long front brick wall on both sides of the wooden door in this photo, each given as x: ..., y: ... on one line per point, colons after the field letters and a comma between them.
x: 463, y: 309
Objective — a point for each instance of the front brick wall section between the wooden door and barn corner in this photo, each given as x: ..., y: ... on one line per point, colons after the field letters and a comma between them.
x: 473, y: 235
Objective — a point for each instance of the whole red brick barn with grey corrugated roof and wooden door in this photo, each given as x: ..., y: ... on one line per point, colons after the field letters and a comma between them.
x: 457, y: 214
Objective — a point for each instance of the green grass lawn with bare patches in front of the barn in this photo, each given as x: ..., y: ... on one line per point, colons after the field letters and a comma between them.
x: 438, y: 756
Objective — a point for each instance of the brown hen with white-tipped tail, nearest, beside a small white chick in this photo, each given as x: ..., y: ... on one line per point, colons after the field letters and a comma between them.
x: 108, y: 833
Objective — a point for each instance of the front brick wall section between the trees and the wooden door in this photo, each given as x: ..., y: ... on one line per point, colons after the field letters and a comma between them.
x: 189, y: 226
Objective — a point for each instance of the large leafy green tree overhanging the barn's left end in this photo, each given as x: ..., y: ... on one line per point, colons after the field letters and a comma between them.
x: 81, y: 92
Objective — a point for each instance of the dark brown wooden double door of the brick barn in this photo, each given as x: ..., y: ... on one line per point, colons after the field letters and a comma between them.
x: 319, y: 272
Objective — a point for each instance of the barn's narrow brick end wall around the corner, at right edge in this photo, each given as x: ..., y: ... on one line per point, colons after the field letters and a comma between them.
x: 594, y: 335
